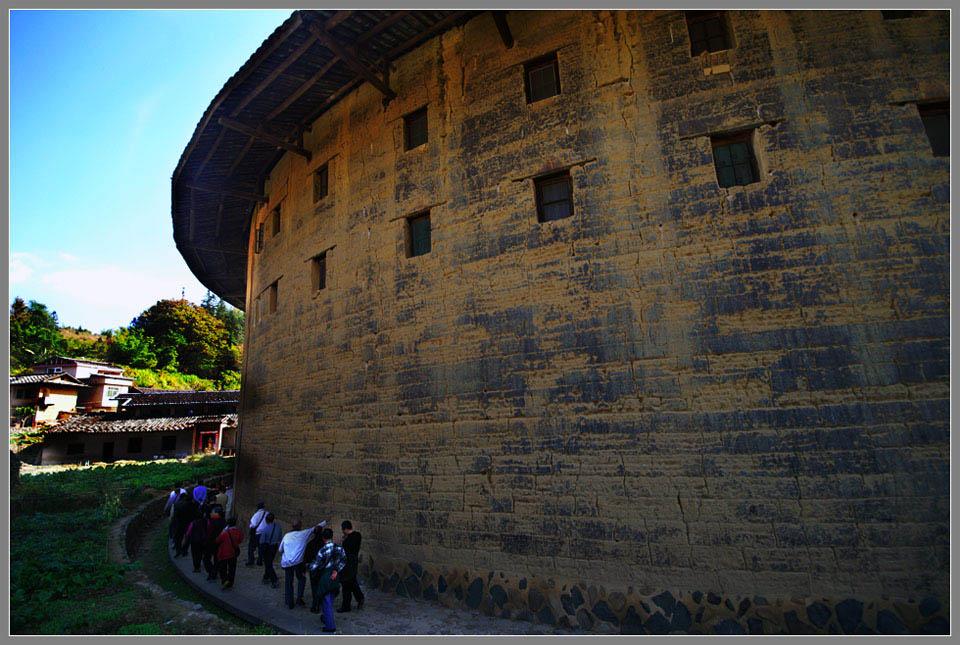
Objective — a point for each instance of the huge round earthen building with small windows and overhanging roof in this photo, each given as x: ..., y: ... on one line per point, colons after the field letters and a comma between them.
x: 633, y: 321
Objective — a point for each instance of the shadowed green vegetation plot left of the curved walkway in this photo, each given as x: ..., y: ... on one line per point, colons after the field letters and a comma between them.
x: 61, y: 578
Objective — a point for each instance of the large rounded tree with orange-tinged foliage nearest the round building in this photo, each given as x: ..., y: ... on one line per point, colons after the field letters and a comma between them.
x: 187, y: 337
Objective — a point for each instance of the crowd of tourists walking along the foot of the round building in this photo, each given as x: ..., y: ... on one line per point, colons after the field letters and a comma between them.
x: 198, y: 527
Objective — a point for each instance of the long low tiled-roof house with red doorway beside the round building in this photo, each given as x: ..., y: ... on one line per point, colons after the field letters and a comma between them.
x: 148, y: 424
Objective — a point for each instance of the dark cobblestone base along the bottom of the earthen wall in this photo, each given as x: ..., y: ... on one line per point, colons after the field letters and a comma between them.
x: 619, y: 611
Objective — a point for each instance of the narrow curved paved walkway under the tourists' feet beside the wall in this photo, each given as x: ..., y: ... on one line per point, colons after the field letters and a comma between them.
x: 382, y: 613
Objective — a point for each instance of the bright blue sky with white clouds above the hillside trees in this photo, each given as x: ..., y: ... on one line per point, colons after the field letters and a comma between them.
x: 102, y: 103
